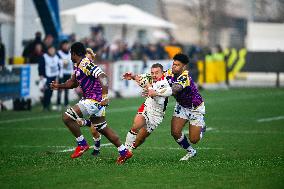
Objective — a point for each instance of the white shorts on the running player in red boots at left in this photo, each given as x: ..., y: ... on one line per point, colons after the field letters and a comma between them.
x: 90, y: 107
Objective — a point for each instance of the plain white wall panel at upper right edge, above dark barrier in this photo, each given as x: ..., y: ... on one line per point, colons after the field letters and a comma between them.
x: 265, y: 37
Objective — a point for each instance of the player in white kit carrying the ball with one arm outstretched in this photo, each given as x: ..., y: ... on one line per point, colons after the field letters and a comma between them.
x: 151, y: 112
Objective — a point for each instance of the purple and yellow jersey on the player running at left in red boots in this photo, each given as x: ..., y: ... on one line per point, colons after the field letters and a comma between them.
x: 87, y: 74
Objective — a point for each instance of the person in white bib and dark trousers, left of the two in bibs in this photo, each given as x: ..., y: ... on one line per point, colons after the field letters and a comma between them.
x: 49, y: 70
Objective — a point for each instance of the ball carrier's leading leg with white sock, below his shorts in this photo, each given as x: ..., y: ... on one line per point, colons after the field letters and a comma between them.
x: 138, y: 123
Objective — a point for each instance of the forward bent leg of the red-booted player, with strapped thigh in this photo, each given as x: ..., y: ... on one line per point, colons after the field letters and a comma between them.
x: 69, y: 118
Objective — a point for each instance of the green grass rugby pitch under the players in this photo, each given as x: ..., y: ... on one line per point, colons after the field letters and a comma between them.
x: 238, y: 152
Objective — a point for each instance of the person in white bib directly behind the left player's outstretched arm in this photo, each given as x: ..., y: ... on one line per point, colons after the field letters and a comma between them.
x: 67, y: 69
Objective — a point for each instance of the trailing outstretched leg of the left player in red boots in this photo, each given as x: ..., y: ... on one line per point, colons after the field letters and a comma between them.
x: 101, y: 126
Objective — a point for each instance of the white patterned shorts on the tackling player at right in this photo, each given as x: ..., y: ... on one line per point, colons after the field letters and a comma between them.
x: 195, y: 116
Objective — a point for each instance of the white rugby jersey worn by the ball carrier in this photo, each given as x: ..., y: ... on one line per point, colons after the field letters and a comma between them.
x: 164, y: 90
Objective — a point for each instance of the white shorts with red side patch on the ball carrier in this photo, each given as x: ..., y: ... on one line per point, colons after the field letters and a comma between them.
x: 153, y: 118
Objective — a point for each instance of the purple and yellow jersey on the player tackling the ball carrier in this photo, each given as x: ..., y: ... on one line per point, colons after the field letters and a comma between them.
x: 189, y: 96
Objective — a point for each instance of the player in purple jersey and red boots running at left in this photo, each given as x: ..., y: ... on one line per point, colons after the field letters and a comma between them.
x: 94, y: 84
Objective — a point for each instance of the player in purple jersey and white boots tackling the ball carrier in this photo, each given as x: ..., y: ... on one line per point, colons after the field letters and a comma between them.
x: 189, y: 105
